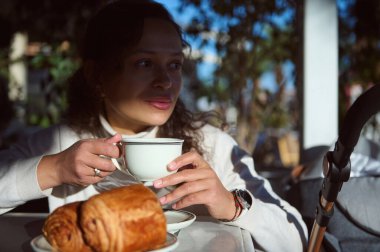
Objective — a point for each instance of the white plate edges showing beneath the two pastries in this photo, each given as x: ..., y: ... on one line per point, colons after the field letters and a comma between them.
x: 40, y: 244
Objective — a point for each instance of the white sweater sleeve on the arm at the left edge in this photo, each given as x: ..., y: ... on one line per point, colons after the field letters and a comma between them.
x: 18, y: 168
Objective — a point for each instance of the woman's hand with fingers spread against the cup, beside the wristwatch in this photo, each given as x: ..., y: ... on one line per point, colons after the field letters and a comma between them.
x: 197, y: 184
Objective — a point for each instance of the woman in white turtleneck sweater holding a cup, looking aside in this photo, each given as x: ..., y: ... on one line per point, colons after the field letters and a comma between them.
x: 129, y: 86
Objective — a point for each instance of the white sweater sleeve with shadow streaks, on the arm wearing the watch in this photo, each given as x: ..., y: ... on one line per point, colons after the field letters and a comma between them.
x: 273, y: 223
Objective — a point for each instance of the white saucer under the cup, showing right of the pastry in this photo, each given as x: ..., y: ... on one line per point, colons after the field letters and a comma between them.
x: 176, y: 220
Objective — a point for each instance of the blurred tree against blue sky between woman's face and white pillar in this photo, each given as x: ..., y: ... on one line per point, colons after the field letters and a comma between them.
x: 250, y: 38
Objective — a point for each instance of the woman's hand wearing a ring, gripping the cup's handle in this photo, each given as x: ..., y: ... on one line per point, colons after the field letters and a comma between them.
x: 76, y: 165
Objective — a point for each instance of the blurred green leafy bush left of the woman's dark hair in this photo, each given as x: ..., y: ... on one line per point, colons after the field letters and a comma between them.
x: 54, y: 65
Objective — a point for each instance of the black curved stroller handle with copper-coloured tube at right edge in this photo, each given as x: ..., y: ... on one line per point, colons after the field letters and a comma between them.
x: 336, y: 164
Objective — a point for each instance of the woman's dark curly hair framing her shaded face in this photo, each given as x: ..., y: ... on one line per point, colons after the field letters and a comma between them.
x: 115, y: 28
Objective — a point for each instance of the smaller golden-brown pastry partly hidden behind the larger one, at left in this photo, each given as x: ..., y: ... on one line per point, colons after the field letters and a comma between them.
x: 62, y: 231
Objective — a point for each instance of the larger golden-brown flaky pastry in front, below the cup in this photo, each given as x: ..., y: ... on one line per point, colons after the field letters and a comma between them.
x: 123, y: 219
